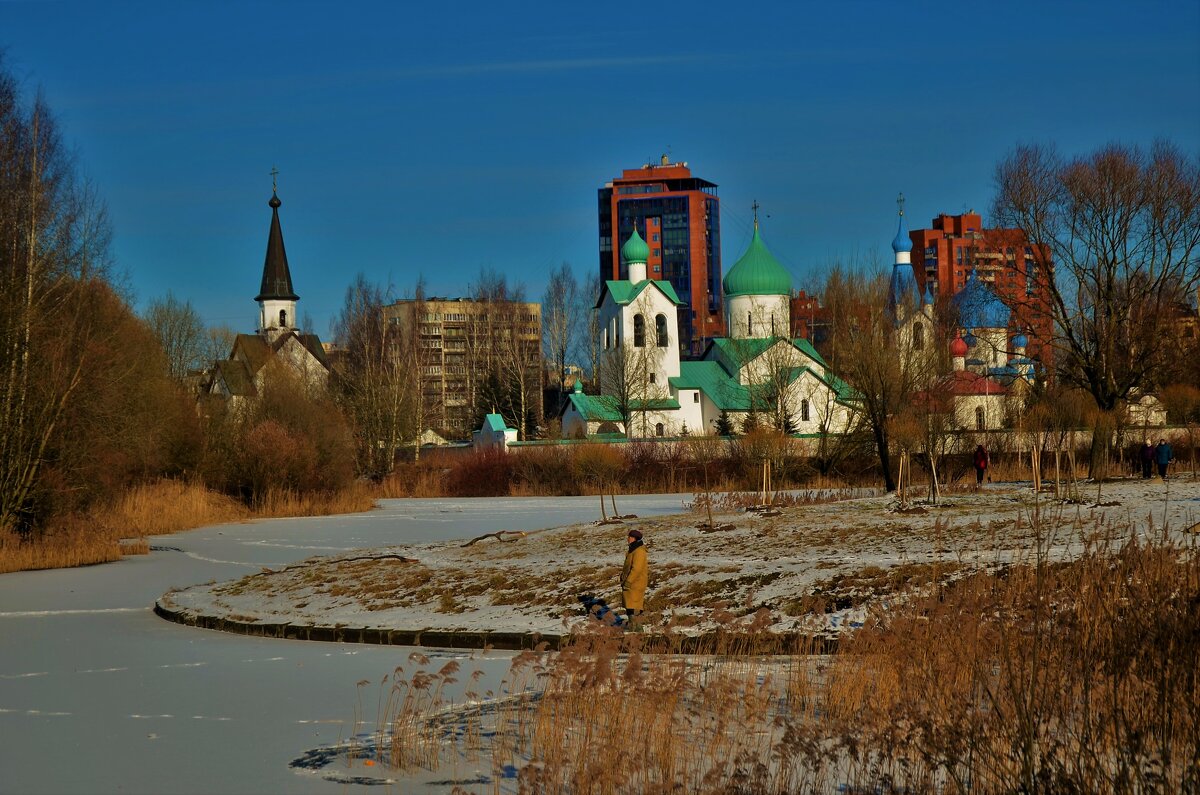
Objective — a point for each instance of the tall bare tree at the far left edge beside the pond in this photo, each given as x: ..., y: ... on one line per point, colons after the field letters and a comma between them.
x: 53, y: 244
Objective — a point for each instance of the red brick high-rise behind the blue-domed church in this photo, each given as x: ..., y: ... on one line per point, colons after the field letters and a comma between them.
x: 944, y: 258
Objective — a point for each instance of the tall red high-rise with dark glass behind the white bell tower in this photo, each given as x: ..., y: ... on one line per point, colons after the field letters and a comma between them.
x: 680, y: 218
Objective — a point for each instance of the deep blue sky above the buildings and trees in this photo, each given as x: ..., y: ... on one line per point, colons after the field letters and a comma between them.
x: 440, y: 139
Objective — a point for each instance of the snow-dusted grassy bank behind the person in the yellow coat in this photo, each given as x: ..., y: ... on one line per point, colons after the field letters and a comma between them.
x: 818, y: 569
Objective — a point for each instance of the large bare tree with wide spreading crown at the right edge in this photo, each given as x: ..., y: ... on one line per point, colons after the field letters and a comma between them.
x: 1113, y: 237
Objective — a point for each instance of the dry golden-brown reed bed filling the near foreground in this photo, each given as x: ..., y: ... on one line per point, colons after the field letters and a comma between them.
x: 1041, y: 678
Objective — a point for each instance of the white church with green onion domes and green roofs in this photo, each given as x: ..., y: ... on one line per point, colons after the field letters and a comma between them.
x: 759, y: 369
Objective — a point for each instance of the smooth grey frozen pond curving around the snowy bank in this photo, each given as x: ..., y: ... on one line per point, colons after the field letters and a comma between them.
x: 98, y: 695
